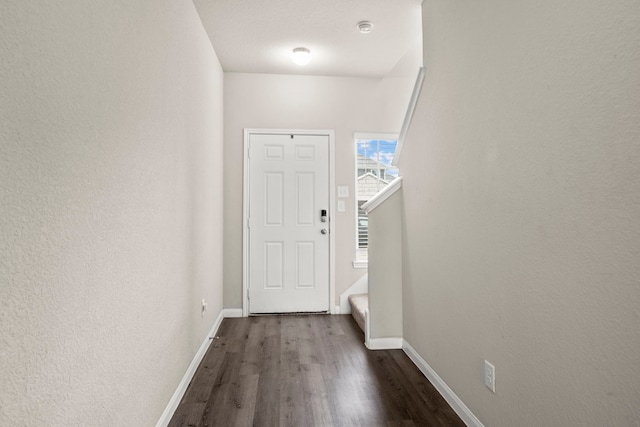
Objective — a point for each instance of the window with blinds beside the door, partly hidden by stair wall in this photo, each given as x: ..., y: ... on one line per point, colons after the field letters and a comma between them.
x: 374, y: 172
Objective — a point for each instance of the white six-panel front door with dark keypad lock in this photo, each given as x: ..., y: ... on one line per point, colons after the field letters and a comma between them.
x: 288, y: 223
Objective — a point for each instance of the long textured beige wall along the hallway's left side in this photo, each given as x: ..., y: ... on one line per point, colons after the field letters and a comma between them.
x: 110, y: 212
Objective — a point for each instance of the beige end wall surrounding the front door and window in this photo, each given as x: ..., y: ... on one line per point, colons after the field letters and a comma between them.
x: 346, y: 105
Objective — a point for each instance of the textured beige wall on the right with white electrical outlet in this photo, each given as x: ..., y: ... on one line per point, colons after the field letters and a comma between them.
x: 522, y: 199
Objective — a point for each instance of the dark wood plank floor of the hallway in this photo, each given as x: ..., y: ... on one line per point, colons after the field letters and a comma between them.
x: 306, y: 371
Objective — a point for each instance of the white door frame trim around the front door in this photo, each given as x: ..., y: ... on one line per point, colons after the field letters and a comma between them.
x: 245, y: 209
